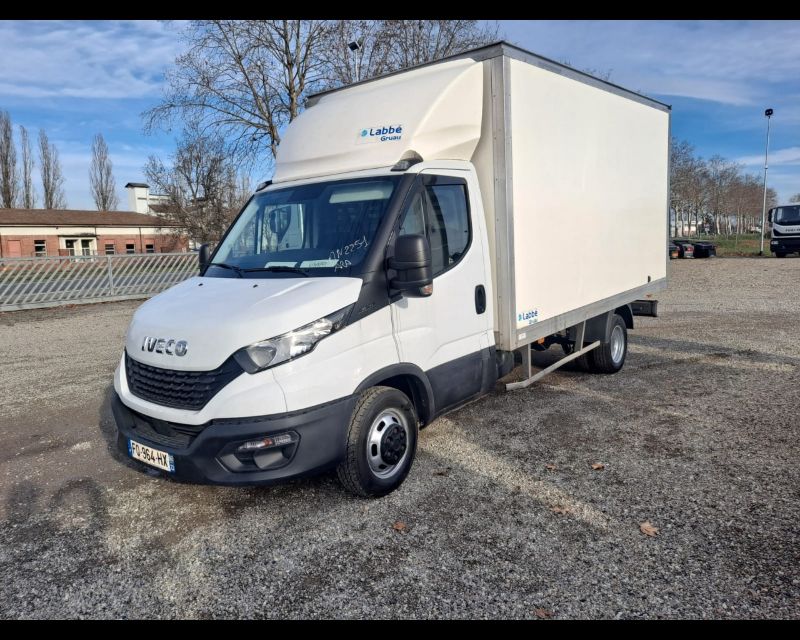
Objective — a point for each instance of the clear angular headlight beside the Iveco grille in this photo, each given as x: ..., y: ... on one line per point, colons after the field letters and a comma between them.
x: 269, y: 353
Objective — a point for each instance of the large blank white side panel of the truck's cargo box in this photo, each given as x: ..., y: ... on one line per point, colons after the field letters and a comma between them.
x: 590, y: 182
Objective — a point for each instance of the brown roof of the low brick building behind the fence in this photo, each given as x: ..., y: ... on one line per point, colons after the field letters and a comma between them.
x: 75, y: 218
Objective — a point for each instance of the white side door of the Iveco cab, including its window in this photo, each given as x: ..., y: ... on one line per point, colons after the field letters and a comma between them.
x: 445, y: 333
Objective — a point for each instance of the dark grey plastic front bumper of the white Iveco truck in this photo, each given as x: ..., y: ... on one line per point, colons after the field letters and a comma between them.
x: 205, y: 453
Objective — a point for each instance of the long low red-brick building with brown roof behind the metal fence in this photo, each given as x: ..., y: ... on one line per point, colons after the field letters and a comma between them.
x: 62, y: 232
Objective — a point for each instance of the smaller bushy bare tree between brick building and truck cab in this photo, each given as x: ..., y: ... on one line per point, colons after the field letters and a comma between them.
x: 203, y: 190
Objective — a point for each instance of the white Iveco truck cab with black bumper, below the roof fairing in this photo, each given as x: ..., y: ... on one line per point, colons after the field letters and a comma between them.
x: 319, y: 290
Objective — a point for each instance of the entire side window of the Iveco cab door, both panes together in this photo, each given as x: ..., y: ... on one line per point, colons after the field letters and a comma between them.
x: 440, y: 211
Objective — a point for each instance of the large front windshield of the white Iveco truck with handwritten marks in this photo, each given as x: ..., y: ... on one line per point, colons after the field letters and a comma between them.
x: 314, y: 229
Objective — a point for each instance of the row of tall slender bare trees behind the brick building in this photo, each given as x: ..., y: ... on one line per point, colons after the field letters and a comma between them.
x: 17, y: 181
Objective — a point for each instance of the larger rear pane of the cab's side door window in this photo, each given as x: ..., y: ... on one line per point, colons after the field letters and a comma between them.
x: 448, y: 225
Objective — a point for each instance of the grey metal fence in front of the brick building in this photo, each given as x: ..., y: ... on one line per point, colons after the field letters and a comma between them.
x: 28, y: 283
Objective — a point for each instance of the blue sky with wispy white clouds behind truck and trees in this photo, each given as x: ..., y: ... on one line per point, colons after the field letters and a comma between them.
x: 76, y: 79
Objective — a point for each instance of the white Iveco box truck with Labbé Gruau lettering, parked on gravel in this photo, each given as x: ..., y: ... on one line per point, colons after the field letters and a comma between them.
x: 419, y: 229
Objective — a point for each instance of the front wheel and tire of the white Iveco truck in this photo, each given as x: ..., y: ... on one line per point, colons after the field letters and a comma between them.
x: 381, y: 443
